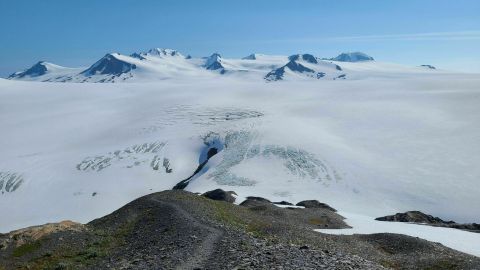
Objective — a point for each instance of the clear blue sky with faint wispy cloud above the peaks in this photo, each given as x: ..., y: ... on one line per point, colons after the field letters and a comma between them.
x: 77, y: 33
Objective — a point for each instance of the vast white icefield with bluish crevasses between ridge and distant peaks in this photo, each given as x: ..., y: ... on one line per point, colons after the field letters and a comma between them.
x: 389, y: 140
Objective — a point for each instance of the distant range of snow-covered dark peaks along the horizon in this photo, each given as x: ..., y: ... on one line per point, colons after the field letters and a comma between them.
x: 161, y: 64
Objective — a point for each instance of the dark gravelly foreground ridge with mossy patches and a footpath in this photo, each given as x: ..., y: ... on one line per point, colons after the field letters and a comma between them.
x: 178, y: 229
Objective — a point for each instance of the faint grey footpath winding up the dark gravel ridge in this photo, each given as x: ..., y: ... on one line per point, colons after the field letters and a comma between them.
x: 207, y: 246
